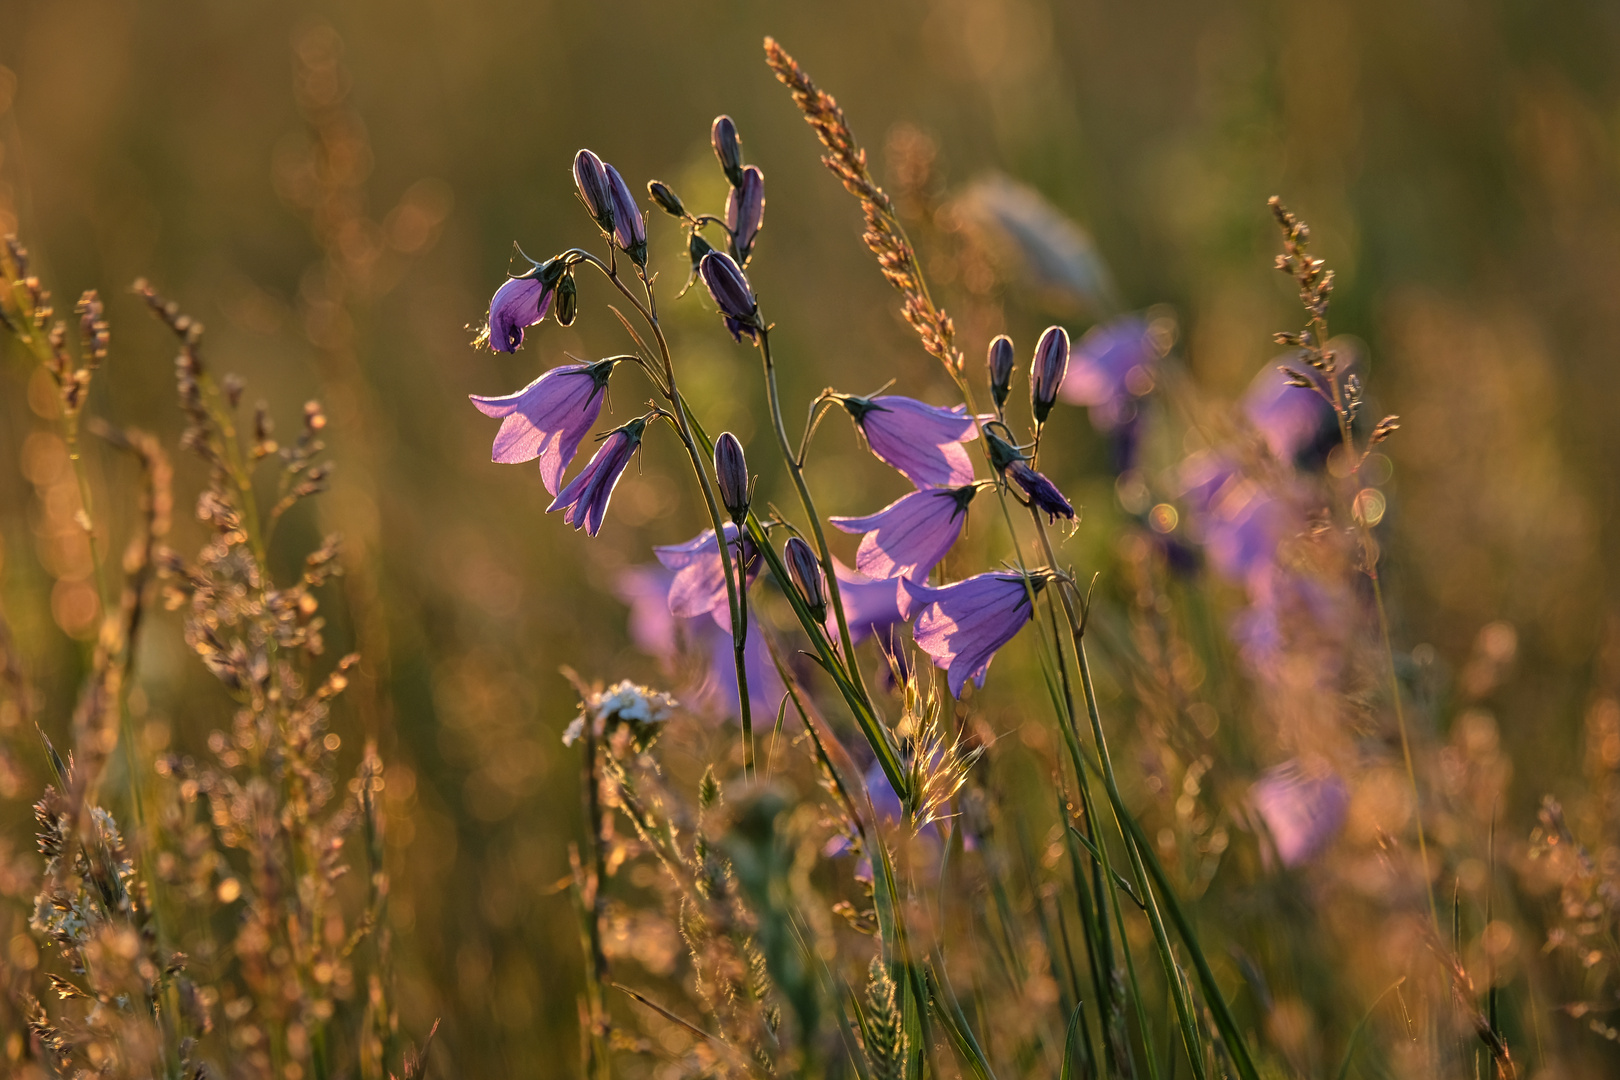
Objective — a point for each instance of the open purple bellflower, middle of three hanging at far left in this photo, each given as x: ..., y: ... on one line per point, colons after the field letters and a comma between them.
x: 548, y: 419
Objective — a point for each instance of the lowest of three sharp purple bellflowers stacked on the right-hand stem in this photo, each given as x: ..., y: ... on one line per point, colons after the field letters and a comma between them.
x: 961, y: 626
